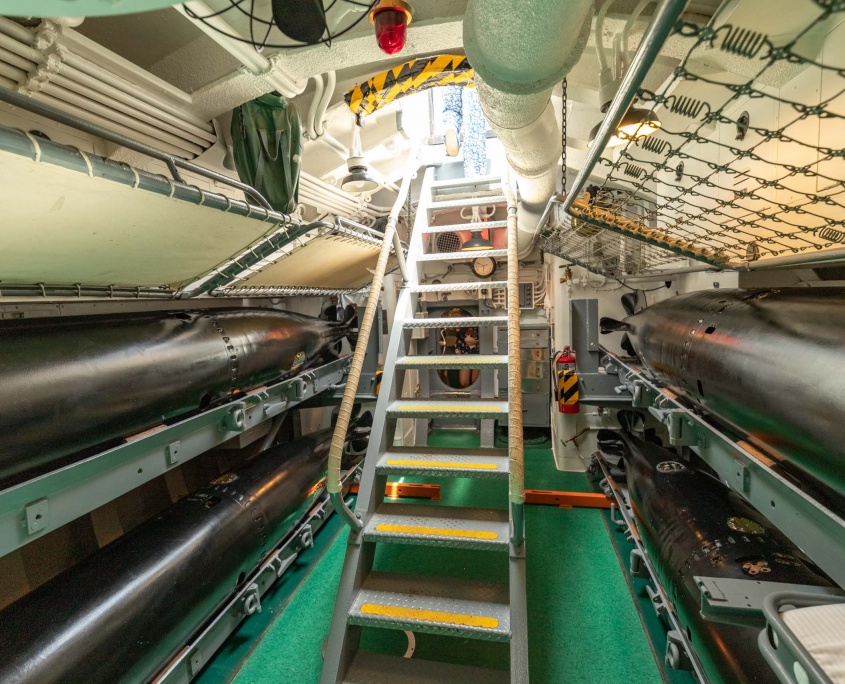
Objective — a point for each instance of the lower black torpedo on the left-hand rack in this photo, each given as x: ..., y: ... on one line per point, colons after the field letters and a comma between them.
x: 122, y: 614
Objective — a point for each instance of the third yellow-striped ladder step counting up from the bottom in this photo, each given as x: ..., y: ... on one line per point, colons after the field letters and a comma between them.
x: 431, y: 461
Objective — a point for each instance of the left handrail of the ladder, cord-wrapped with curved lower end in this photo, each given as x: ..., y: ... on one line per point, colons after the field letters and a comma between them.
x: 349, y: 394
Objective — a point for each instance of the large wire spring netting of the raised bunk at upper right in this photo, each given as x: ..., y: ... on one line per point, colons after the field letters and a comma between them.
x: 749, y: 160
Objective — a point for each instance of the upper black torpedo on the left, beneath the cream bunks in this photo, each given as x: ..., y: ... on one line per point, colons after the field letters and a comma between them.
x: 91, y: 380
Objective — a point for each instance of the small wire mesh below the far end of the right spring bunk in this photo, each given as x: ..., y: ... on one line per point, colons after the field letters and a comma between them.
x: 602, y: 251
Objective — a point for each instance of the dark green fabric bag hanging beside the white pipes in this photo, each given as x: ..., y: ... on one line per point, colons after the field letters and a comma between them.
x: 267, y: 140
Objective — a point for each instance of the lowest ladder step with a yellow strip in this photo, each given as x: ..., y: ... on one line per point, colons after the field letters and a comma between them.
x: 437, y: 605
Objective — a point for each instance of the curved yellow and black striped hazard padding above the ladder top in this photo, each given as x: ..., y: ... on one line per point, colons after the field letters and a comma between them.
x: 408, y: 78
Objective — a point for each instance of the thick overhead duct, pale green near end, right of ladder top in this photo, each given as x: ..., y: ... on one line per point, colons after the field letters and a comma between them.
x: 519, y: 52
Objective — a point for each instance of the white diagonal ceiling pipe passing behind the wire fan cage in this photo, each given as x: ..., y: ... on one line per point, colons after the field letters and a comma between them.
x: 222, y: 33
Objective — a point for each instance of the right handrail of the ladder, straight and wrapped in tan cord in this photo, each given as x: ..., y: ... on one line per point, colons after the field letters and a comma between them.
x: 516, y: 454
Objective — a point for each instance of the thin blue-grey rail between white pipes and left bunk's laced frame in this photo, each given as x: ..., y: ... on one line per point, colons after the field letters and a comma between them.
x: 173, y: 162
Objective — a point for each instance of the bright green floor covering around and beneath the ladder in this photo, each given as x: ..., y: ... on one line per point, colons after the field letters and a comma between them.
x: 582, y: 622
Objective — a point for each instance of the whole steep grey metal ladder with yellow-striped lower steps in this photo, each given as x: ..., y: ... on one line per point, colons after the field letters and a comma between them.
x: 427, y: 603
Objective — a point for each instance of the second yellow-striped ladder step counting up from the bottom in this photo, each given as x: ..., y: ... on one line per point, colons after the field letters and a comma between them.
x: 468, y: 528
